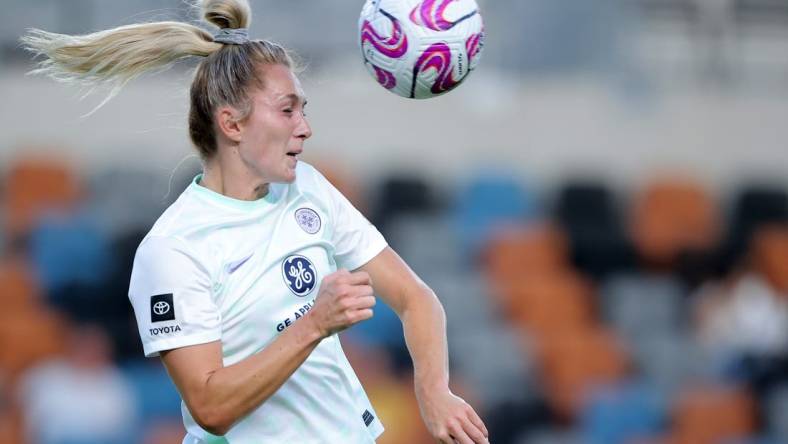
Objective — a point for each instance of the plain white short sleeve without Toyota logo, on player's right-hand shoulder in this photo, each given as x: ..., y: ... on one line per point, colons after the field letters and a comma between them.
x: 356, y: 241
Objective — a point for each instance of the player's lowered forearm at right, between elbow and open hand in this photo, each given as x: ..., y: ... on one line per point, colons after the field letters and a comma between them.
x: 424, y: 326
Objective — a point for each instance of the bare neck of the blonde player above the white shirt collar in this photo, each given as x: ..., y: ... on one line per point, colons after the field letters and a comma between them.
x: 232, y: 178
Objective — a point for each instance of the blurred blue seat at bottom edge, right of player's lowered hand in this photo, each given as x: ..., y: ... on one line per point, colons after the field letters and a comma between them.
x: 620, y: 413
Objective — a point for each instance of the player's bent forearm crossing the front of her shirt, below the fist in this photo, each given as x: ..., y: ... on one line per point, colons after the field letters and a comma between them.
x: 232, y: 392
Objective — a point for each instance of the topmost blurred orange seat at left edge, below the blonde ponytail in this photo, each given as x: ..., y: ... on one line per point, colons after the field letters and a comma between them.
x: 33, y: 186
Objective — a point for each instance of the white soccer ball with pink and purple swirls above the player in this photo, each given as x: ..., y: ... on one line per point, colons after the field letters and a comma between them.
x: 420, y: 48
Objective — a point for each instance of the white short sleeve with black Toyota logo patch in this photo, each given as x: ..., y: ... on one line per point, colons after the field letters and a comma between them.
x: 171, y: 293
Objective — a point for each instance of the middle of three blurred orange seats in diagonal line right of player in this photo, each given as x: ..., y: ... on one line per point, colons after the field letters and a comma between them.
x: 546, y: 303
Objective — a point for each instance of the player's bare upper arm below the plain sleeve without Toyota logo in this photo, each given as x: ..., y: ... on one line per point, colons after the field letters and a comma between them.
x: 393, y: 280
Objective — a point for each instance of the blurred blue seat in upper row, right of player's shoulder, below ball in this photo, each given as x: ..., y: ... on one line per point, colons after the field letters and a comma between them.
x: 489, y: 202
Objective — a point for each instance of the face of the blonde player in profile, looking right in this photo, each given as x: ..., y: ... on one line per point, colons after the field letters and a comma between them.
x: 274, y: 133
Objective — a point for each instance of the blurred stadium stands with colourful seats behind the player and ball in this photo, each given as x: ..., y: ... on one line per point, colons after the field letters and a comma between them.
x: 602, y: 207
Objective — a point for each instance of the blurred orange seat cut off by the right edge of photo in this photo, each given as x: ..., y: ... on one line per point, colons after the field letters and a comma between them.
x: 770, y: 255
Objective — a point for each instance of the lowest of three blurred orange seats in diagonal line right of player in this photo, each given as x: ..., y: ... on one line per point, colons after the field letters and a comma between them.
x: 573, y: 361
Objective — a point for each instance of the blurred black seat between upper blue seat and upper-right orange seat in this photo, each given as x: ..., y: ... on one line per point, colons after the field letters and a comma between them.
x: 588, y: 213
